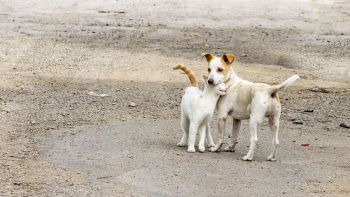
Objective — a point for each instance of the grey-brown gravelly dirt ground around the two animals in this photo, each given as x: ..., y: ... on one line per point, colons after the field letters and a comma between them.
x: 61, y: 136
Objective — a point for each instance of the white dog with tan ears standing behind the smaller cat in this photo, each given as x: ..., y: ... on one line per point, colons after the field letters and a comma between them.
x: 244, y: 100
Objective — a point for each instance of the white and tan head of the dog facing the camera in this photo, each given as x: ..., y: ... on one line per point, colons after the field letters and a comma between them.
x: 218, y: 68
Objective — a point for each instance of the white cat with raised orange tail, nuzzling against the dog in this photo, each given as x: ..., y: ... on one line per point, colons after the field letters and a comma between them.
x: 197, y: 108
